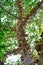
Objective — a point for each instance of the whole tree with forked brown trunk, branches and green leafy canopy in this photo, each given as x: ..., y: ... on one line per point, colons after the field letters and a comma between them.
x: 16, y: 18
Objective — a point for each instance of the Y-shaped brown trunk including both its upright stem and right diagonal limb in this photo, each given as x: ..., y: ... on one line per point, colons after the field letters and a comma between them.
x: 20, y: 28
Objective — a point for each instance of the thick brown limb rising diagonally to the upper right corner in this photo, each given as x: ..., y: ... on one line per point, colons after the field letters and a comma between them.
x: 32, y: 12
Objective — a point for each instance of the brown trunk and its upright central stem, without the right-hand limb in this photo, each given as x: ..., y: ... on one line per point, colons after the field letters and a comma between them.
x: 21, y: 32
